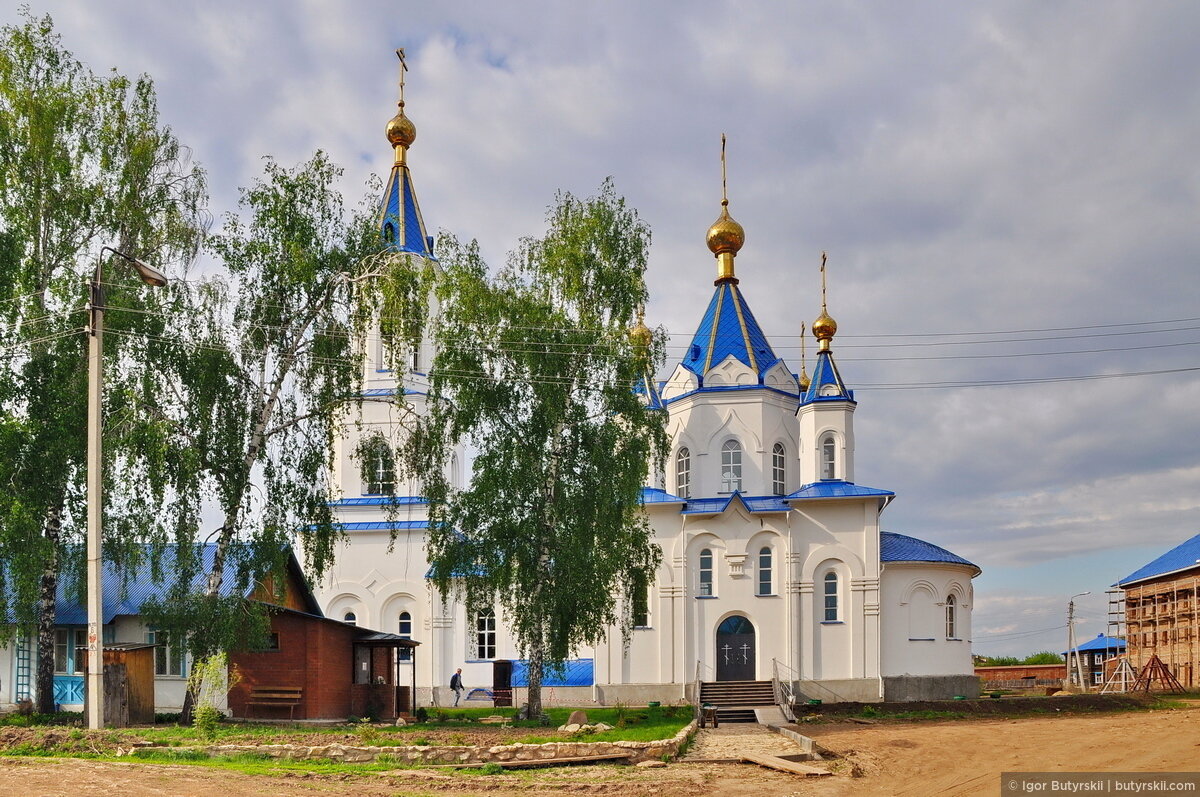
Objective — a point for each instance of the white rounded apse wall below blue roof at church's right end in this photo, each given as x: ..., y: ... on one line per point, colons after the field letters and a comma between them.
x: 915, y: 631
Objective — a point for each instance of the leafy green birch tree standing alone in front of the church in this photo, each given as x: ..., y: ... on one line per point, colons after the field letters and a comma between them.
x: 537, y: 369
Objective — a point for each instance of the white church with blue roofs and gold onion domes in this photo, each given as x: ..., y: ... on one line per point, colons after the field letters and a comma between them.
x: 775, y: 562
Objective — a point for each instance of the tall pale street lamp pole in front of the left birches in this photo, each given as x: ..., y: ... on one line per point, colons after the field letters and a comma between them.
x: 97, y: 481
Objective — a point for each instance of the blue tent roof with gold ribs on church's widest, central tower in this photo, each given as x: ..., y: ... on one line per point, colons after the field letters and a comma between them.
x: 729, y: 328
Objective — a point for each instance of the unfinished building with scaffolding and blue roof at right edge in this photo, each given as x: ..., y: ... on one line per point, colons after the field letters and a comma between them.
x: 1162, y: 607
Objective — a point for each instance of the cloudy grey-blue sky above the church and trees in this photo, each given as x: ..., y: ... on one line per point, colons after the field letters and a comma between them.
x: 1009, y: 195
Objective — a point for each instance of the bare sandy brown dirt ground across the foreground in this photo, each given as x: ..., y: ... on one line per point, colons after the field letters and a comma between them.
x: 941, y: 758
